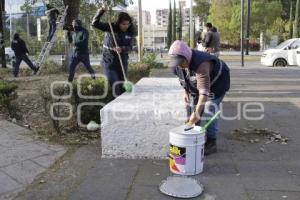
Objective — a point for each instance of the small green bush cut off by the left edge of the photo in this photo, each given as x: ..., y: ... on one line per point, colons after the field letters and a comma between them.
x: 7, y: 95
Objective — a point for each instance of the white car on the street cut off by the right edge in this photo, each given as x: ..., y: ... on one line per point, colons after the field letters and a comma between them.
x: 286, y: 53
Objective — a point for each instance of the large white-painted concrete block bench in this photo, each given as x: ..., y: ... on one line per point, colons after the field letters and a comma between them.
x: 137, y: 125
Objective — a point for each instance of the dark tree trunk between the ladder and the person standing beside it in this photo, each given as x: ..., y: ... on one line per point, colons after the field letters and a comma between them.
x: 73, y: 12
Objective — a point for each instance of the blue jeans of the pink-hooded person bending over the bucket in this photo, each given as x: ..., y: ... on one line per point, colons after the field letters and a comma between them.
x: 212, y: 106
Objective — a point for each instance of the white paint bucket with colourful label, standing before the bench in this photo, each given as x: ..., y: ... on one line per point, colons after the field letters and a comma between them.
x: 186, y: 154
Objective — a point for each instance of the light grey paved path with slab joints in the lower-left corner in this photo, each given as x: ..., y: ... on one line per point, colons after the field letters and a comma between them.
x: 22, y: 158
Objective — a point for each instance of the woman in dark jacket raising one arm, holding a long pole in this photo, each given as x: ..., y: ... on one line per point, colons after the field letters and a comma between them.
x: 125, y: 35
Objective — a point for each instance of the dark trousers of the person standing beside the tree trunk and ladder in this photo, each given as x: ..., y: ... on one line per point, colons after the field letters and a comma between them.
x: 76, y: 59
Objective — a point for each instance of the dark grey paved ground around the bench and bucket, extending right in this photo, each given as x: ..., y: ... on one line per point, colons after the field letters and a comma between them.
x: 239, y: 171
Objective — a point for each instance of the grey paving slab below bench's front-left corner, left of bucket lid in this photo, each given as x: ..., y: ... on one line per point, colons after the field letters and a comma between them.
x: 110, y: 179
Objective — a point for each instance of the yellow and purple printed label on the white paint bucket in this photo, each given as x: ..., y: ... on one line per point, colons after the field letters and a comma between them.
x: 177, y: 157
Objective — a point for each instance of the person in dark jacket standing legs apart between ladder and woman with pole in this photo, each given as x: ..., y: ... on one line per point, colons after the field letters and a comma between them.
x: 79, y: 37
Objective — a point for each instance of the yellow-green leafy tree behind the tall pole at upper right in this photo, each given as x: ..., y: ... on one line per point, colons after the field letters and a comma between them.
x: 263, y: 15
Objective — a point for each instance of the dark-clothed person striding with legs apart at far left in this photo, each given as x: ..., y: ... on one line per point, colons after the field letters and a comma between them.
x: 19, y: 47
